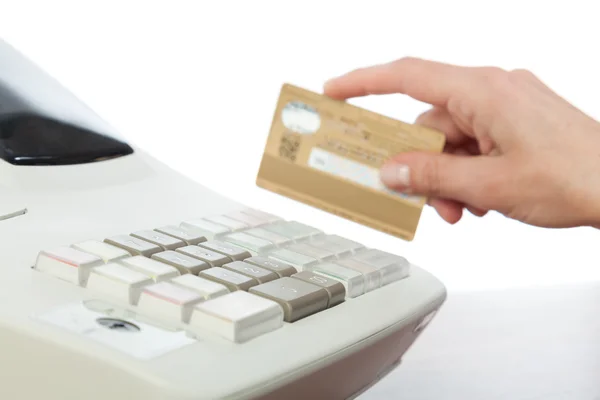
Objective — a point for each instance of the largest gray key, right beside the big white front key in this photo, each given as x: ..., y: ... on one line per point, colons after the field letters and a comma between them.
x: 298, y: 299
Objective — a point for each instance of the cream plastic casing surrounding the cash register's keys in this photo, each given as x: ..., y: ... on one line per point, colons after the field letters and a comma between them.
x: 72, y: 204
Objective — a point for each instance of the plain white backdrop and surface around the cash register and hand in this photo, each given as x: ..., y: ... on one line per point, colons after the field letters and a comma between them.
x: 195, y: 84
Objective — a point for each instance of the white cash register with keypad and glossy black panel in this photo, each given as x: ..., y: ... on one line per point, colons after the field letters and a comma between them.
x: 122, y: 279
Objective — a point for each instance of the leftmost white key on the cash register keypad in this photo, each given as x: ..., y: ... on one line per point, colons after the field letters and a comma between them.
x: 68, y: 264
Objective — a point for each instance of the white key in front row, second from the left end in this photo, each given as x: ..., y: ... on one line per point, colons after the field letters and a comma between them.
x: 118, y: 282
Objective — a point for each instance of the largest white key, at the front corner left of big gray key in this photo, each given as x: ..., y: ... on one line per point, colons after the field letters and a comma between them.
x: 238, y: 316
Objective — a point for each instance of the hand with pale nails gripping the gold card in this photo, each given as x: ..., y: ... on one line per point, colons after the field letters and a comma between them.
x: 513, y: 145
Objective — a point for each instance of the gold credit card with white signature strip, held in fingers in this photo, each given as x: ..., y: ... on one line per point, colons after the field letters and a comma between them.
x: 327, y: 153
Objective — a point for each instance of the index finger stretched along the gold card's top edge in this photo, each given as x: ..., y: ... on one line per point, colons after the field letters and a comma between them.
x: 427, y: 81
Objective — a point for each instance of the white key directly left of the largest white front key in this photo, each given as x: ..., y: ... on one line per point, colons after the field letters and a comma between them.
x: 168, y: 302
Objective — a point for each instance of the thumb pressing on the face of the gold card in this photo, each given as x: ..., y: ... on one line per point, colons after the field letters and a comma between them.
x: 466, y: 179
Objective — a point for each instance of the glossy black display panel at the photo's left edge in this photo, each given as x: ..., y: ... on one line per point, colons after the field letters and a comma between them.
x: 32, y: 139
